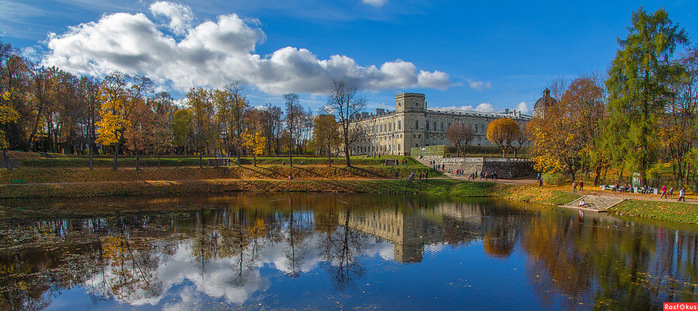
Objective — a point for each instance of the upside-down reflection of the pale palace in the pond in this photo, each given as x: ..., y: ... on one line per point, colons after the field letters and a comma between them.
x: 410, y: 232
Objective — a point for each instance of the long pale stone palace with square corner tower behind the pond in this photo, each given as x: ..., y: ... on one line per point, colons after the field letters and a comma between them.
x: 412, y: 124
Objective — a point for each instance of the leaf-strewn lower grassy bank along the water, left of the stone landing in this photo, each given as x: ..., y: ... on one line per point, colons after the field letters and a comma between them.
x: 437, y: 187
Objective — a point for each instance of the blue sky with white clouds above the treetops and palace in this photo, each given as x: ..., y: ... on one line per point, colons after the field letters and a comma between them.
x: 477, y: 55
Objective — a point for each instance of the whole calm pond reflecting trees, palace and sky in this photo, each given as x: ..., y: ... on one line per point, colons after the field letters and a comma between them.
x: 320, y: 252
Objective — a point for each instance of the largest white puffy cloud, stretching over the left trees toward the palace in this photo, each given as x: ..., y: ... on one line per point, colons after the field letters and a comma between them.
x: 214, y: 53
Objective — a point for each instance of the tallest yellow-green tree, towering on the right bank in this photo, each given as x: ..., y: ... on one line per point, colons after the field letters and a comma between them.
x: 639, y: 88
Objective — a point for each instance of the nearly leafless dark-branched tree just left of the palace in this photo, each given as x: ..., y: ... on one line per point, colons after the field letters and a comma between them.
x: 344, y: 102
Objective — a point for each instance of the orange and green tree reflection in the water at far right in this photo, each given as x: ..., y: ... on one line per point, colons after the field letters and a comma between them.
x: 610, y: 264
